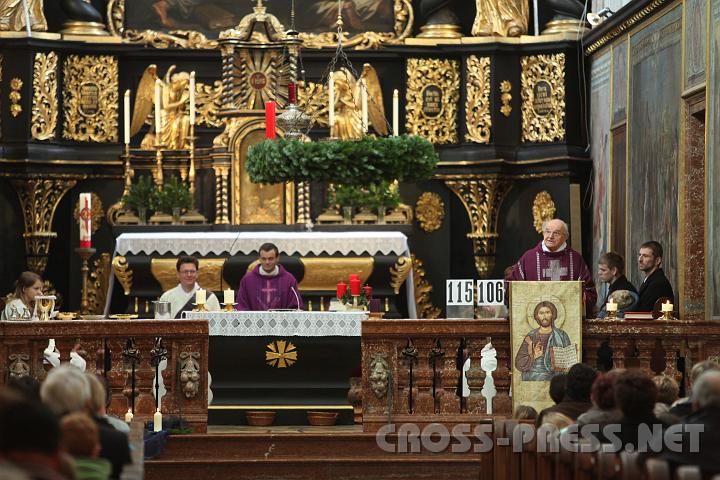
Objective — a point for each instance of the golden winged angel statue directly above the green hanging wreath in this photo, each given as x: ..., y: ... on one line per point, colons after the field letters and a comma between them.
x: 348, y: 117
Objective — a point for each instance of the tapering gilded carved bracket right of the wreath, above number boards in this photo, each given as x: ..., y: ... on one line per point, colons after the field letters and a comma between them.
x: 482, y: 199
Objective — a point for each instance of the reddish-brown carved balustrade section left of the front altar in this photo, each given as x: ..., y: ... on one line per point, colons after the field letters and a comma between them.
x: 22, y: 345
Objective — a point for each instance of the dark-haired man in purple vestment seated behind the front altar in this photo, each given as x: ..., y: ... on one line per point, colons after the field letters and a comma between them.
x: 268, y: 286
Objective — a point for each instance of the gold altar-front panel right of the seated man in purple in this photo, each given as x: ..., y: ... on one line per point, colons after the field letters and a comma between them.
x: 325, y: 273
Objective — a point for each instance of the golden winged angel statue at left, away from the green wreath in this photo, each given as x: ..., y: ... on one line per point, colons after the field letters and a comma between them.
x: 175, y: 116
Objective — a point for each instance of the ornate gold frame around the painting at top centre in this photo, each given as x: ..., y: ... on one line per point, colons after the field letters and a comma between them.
x: 404, y: 20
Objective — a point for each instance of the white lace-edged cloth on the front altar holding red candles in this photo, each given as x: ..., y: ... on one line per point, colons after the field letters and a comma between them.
x: 287, y: 324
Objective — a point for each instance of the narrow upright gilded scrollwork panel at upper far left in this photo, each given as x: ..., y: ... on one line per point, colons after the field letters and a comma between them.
x: 44, y: 109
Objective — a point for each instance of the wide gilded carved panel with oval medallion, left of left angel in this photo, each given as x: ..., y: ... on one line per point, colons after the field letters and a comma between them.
x: 90, y: 98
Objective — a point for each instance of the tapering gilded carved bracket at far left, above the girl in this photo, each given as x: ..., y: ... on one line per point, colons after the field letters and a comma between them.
x: 39, y: 199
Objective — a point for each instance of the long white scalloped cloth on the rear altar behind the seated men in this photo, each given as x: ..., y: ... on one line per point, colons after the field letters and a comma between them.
x: 289, y: 243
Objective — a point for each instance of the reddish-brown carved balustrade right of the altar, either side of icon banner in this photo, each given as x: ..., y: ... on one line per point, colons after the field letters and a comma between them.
x: 654, y: 346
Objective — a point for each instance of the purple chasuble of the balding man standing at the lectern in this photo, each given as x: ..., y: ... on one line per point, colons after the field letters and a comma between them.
x: 567, y: 264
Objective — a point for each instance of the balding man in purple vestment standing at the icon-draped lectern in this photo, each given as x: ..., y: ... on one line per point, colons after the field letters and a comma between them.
x: 553, y: 259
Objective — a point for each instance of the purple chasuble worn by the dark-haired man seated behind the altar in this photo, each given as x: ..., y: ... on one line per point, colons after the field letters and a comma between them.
x: 259, y: 292
